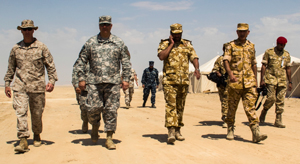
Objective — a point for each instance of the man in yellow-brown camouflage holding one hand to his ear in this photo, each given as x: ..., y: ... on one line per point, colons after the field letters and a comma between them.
x: 176, y: 54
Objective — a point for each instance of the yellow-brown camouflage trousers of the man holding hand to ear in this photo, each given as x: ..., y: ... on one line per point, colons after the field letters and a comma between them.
x: 175, y: 96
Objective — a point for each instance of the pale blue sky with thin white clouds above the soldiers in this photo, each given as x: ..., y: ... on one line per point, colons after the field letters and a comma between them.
x: 65, y: 25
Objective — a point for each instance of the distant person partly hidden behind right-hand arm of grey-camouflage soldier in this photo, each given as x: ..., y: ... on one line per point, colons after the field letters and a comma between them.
x: 129, y: 92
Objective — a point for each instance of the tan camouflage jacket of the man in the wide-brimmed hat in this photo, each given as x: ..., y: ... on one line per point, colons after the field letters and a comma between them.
x: 28, y: 63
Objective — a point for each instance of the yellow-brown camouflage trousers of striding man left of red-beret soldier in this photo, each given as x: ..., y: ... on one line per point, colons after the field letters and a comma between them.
x: 248, y: 96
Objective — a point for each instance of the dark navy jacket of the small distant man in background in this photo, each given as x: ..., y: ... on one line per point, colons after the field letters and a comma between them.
x: 150, y: 77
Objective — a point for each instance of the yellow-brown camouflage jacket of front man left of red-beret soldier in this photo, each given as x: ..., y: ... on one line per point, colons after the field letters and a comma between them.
x: 241, y: 58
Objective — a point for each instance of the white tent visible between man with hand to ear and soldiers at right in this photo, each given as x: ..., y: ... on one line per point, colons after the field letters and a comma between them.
x: 202, y: 85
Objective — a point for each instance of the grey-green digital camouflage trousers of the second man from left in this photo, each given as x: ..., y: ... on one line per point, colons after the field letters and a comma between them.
x: 103, y: 99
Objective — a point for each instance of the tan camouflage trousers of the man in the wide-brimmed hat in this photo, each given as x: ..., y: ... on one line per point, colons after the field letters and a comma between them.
x: 36, y: 102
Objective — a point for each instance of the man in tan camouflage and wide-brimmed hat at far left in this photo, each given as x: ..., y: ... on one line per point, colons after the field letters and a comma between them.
x: 27, y: 61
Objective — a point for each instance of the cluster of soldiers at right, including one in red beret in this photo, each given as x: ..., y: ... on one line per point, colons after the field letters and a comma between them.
x: 239, y: 63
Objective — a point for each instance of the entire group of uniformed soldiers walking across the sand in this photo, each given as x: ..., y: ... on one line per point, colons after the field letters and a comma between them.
x: 97, y: 81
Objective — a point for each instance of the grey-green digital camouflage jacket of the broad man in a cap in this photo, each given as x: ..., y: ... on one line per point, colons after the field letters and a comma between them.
x: 105, y: 58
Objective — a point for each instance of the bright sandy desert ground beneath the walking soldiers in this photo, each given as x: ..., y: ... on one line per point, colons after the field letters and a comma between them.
x: 141, y: 136
